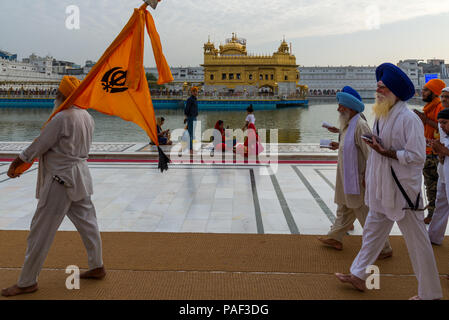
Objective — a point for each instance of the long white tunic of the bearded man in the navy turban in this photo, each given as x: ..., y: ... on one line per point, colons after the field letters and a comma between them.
x: 403, y: 132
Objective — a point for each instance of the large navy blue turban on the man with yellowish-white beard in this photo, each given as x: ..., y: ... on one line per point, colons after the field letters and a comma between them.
x: 396, y: 80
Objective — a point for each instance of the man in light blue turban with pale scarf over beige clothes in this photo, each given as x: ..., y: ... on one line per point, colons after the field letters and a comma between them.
x: 352, y: 156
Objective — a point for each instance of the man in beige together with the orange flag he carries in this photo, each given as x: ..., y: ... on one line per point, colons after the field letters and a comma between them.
x: 115, y: 86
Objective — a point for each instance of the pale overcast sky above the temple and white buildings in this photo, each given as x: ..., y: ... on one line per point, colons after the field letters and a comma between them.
x: 323, y: 32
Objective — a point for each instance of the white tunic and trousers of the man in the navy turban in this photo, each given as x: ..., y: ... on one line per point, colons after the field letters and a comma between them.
x: 403, y: 132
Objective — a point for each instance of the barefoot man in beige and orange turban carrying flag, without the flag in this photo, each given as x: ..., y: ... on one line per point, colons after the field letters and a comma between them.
x: 64, y: 187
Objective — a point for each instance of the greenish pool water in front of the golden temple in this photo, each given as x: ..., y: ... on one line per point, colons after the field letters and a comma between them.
x: 294, y: 124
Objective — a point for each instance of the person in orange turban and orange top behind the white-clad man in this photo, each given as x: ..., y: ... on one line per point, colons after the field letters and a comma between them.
x: 431, y: 95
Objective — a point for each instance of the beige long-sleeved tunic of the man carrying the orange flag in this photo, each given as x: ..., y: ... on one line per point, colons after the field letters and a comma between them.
x: 63, y: 149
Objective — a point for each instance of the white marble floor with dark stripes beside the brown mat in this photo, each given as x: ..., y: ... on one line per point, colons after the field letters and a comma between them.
x: 134, y: 197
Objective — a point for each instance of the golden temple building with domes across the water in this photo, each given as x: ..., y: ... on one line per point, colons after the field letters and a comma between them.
x: 231, y: 69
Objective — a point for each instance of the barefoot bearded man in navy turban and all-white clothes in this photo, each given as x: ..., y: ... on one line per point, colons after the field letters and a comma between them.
x: 393, y: 185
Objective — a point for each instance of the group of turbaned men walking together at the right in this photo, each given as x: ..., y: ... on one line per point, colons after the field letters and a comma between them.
x: 380, y: 171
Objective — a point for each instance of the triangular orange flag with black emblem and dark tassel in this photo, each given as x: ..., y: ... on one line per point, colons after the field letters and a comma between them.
x: 117, y: 84
